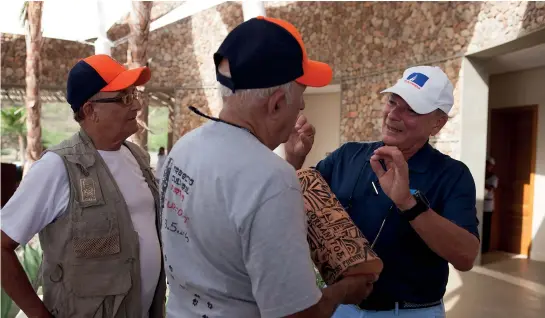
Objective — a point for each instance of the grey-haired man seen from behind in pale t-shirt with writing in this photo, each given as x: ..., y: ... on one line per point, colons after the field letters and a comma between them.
x: 234, y: 226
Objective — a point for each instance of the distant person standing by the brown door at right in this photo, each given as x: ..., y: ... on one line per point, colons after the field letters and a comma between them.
x: 490, y: 185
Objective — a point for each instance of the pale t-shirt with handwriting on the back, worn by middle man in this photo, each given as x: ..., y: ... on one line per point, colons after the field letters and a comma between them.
x: 234, y: 229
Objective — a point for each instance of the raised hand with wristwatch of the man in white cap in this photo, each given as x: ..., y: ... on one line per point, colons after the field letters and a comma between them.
x: 395, y: 180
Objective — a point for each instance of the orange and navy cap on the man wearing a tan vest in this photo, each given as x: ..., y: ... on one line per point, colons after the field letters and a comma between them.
x: 100, y: 73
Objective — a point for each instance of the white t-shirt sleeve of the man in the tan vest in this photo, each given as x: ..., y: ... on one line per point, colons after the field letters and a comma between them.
x: 41, y: 197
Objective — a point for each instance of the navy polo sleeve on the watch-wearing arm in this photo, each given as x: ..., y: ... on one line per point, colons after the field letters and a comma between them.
x: 460, y: 203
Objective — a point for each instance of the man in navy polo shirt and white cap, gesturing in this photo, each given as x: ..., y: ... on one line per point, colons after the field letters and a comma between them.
x: 415, y: 204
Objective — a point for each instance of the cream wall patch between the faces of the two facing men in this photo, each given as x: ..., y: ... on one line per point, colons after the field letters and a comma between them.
x: 324, y: 112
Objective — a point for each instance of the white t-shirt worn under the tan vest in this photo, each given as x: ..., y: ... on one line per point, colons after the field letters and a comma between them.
x: 44, y: 193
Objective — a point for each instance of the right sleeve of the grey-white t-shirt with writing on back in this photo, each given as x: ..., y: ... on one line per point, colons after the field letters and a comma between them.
x: 277, y: 256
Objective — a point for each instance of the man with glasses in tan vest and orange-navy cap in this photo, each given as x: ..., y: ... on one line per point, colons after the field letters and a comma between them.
x: 94, y: 202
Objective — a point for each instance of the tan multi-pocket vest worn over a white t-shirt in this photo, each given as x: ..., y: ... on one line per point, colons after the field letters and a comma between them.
x: 91, y: 264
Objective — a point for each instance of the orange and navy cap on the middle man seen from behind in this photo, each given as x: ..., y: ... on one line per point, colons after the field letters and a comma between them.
x: 266, y: 52
